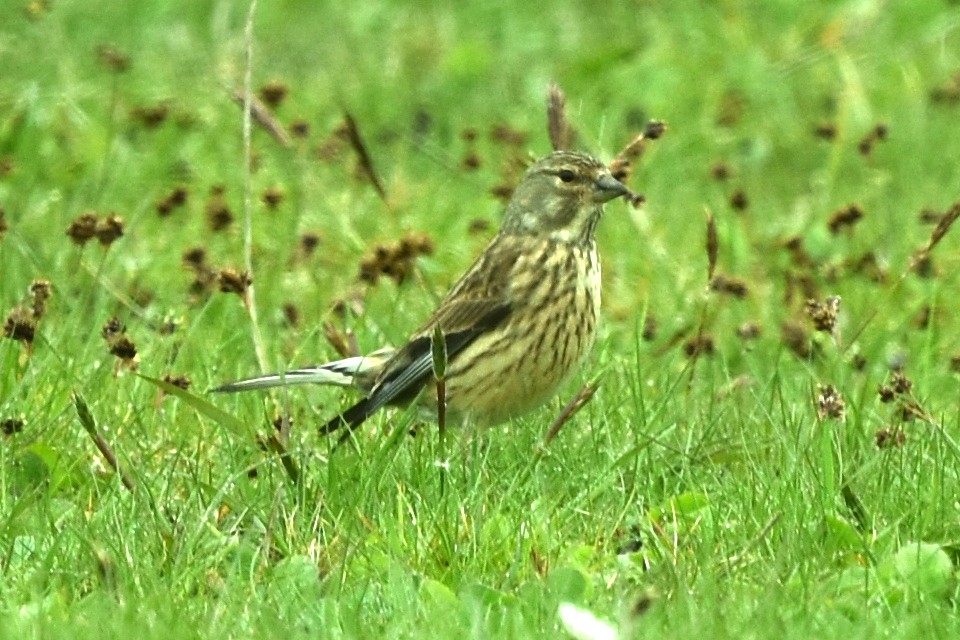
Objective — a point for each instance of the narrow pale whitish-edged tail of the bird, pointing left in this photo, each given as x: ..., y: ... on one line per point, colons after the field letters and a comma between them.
x: 359, y: 371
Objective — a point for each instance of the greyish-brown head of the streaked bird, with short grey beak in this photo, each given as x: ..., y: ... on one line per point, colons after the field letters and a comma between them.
x: 561, y: 198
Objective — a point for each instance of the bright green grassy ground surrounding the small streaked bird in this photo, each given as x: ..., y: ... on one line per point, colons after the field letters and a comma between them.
x: 710, y: 488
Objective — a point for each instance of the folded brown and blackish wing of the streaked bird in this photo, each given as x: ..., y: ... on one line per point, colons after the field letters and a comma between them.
x: 403, y: 376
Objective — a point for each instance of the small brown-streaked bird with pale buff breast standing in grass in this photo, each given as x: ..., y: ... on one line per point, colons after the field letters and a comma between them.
x: 518, y: 323
